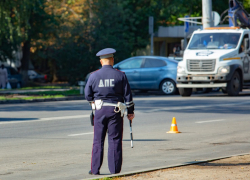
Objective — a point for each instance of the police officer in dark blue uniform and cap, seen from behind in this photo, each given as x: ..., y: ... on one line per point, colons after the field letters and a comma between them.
x: 109, y: 92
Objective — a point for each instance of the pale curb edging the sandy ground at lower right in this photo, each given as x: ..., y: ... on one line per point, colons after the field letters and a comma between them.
x: 164, y: 167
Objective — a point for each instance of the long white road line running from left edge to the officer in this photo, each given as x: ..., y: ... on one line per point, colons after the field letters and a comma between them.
x: 46, y: 119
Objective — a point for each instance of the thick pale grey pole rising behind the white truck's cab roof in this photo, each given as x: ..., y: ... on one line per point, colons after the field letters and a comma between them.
x: 207, y: 19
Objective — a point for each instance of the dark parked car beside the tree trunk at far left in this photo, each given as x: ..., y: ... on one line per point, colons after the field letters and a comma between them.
x: 15, y: 79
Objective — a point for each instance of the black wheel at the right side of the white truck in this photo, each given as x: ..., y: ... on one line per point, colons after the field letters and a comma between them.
x: 233, y: 86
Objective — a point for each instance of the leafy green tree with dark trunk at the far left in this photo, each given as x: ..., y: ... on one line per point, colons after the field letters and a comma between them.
x: 22, y: 22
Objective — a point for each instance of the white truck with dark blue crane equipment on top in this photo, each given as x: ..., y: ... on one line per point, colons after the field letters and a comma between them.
x: 217, y: 57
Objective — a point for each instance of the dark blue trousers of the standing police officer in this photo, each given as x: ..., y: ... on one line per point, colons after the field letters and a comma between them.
x: 106, y: 119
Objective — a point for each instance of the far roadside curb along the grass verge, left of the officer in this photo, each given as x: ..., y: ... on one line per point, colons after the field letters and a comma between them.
x: 43, y: 100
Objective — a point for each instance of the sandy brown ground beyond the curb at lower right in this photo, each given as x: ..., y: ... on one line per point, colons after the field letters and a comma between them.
x: 230, y: 168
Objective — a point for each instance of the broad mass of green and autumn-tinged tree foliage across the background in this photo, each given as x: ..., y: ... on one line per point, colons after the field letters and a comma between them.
x: 62, y: 37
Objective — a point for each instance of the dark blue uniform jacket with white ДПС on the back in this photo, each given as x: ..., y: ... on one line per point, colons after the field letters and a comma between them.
x: 111, y: 86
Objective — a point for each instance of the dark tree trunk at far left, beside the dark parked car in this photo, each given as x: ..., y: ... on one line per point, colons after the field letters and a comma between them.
x: 25, y: 62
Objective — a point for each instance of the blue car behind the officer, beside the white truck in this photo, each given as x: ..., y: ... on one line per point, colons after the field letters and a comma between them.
x: 150, y: 73
